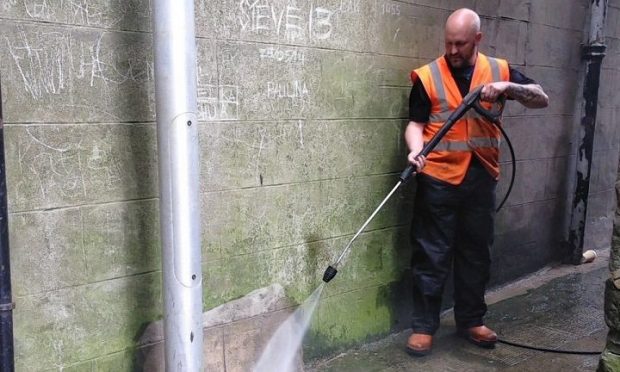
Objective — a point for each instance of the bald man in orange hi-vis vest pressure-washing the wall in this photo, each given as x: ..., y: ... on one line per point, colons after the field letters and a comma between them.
x: 452, y: 227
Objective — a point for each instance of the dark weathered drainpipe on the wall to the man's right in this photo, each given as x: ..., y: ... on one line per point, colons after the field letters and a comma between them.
x: 592, y: 54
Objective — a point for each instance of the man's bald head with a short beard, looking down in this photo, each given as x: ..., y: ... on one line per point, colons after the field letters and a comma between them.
x: 462, y: 37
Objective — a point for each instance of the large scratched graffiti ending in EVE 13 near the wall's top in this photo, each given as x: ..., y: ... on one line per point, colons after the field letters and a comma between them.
x: 290, y: 21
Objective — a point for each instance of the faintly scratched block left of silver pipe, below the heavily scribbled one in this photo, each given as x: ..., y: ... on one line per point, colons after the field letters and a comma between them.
x: 67, y: 163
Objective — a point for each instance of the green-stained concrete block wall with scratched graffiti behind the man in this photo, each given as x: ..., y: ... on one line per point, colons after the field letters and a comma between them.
x: 302, y: 107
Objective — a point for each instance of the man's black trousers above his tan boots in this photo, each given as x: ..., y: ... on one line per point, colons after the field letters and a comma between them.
x: 452, y: 229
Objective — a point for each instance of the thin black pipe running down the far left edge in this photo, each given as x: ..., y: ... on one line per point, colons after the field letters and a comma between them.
x: 7, y: 362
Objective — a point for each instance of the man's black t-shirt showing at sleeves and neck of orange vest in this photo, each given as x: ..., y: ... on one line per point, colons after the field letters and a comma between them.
x: 420, y: 103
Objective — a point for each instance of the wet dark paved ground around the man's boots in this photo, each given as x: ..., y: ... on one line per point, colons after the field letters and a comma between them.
x: 557, y: 308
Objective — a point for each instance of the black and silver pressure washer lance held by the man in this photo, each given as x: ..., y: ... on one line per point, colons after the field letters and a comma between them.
x: 471, y: 100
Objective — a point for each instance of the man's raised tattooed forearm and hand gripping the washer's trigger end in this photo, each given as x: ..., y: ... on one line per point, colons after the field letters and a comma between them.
x: 529, y: 95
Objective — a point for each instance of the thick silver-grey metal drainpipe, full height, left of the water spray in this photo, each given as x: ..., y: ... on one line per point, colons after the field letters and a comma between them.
x: 177, y: 134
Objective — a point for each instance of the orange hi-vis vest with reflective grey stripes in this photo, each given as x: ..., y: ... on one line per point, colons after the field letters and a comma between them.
x: 470, y: 135
